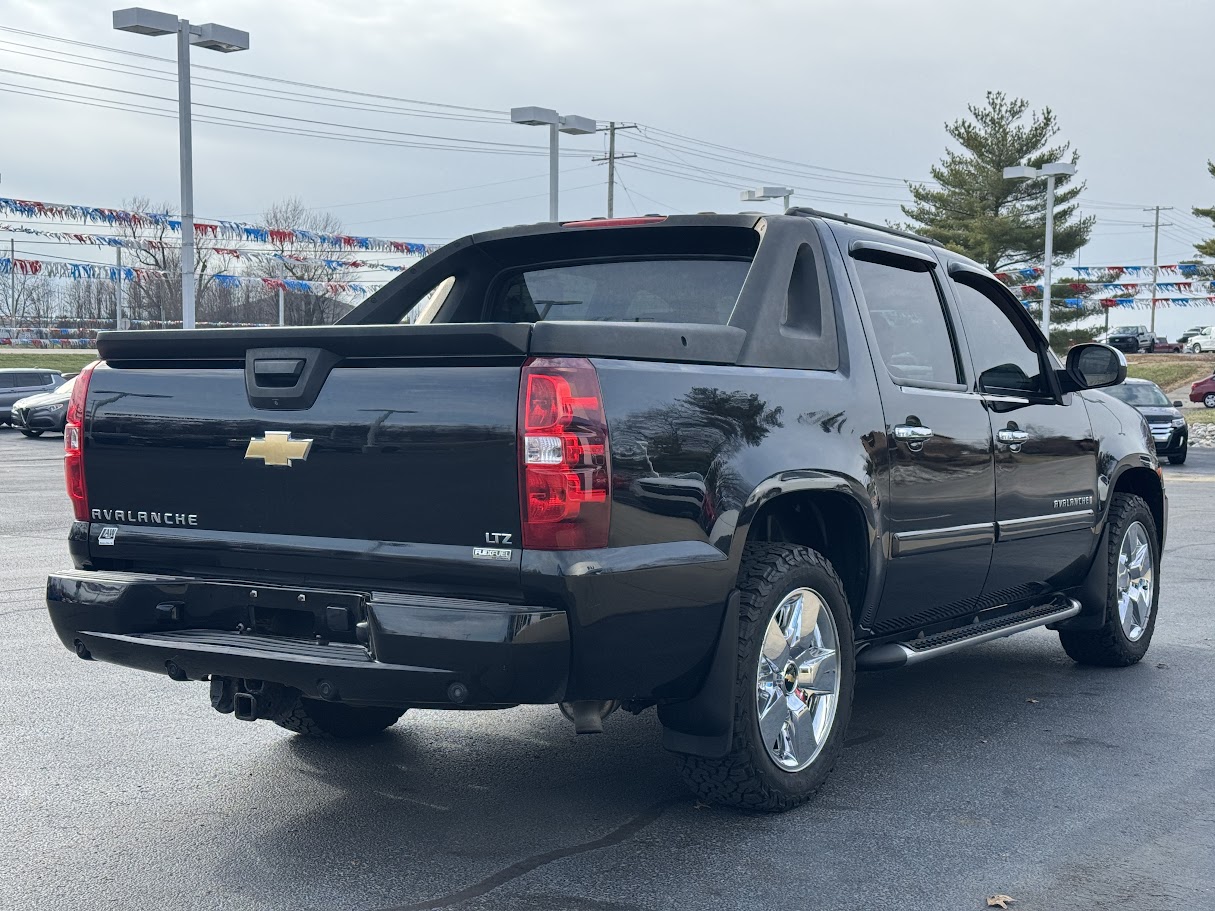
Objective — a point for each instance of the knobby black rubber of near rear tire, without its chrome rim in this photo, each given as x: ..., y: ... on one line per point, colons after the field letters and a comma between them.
x: 734, y: 779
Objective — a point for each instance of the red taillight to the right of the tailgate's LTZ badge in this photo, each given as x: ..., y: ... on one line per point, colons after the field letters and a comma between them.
x: 564, y: 474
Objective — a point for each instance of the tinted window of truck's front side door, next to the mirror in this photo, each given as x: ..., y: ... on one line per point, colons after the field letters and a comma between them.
x: 1007, y: 357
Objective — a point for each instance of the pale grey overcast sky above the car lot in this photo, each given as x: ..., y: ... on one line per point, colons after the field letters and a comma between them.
x: 854, y: 86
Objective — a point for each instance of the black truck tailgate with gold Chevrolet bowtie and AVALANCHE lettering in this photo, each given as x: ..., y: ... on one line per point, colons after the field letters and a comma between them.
x: 400, y: 460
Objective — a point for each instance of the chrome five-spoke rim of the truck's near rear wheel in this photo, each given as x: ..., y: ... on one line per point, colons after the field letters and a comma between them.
x: 798, y: 683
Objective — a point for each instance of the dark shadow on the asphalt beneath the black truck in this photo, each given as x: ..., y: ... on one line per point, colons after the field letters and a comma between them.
x: 448, y: 807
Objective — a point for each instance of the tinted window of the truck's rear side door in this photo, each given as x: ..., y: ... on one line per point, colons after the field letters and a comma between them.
x: 909, y: 322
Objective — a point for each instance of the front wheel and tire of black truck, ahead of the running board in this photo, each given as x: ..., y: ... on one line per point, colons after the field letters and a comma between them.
x: 1127, y: 633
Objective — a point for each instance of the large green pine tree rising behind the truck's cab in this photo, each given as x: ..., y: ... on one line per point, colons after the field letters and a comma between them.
x: 996, y: 222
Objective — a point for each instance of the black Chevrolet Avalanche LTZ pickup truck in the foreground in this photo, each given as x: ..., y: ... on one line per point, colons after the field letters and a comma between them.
x: 713, y: 465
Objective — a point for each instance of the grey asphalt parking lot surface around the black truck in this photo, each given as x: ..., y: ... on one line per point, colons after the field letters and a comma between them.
x: 1002, y: 769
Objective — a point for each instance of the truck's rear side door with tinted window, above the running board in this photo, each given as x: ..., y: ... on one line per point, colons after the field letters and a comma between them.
x: 939, y: 480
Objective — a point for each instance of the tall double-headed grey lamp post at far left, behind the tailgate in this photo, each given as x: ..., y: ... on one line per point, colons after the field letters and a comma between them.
x: 213, y: 38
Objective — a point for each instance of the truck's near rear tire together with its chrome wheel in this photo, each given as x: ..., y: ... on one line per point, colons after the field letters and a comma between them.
x: 751, y: 776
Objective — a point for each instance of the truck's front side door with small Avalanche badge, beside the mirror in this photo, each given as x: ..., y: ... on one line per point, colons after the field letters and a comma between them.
x: 1046, y: 454
